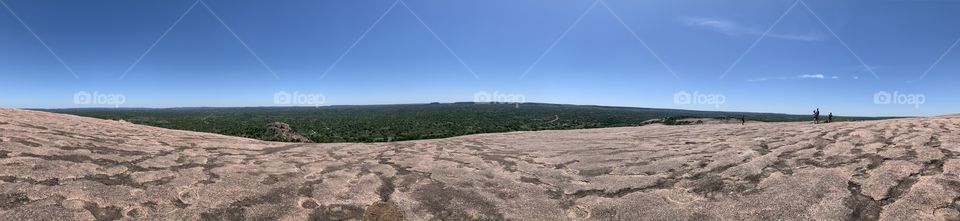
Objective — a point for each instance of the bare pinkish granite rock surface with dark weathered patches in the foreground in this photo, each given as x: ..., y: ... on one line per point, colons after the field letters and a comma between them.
x: 56, y: 166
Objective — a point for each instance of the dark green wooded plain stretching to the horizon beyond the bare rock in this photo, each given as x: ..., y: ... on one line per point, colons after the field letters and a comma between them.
x: 377, y: 123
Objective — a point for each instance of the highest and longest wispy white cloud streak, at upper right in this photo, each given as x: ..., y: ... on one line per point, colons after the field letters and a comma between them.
x: 732, y: 28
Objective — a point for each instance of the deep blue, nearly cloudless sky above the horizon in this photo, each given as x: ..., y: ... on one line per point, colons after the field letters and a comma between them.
x: 760, y: 55
